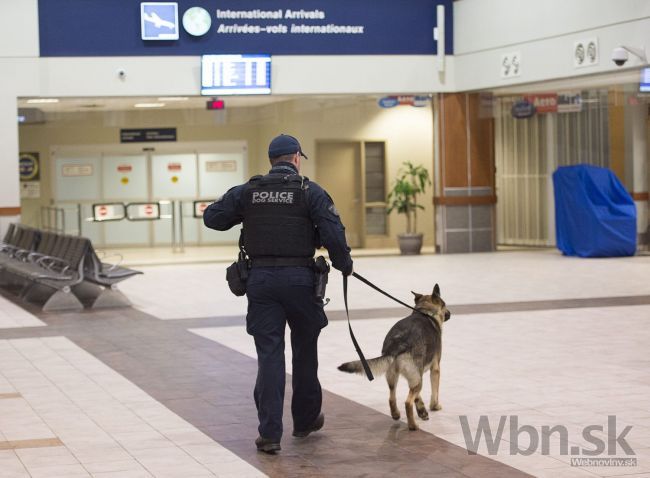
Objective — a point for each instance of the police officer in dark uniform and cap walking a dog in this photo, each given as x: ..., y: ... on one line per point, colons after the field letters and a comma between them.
x: 285, y: 217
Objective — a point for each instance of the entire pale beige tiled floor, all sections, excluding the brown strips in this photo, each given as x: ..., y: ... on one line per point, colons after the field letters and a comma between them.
x: 570, y: 367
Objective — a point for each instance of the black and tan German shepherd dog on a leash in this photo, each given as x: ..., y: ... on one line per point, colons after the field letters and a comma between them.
x: 412, y: 346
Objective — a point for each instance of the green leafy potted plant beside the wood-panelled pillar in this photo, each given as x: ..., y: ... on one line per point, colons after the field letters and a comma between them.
x: 403, y: 197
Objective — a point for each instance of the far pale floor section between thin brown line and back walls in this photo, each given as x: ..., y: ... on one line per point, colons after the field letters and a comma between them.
x: 200, y: 290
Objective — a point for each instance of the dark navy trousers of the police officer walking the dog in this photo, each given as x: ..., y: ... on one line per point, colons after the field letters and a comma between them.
x: 276, y: 296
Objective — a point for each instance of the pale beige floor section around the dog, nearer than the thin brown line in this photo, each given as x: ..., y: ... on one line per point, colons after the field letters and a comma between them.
x: 567, y: 367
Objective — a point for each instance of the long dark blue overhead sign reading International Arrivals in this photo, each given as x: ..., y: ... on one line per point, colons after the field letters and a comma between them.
x: 280, y: 27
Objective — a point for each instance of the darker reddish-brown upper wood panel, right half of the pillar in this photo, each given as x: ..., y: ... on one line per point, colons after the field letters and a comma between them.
x: 481, y: 145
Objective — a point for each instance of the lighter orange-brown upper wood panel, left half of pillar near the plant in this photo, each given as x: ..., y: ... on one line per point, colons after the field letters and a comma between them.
x: 453, y: 136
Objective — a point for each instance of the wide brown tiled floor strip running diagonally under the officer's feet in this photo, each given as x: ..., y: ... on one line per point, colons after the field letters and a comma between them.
x: 210, y: 386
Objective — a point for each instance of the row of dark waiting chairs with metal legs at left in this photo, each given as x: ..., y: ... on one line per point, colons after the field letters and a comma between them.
x: 59, y: 271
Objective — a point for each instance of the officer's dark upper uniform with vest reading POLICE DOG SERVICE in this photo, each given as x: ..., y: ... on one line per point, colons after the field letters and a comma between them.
x: 284, y: 215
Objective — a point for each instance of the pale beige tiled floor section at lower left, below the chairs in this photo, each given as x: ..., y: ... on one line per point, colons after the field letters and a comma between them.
x: 107, y: 425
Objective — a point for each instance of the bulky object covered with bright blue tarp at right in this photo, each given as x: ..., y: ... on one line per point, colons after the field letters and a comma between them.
x: 594, y: 214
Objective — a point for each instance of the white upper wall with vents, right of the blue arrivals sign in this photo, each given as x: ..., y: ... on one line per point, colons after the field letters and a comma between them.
x: 544, y: 33
